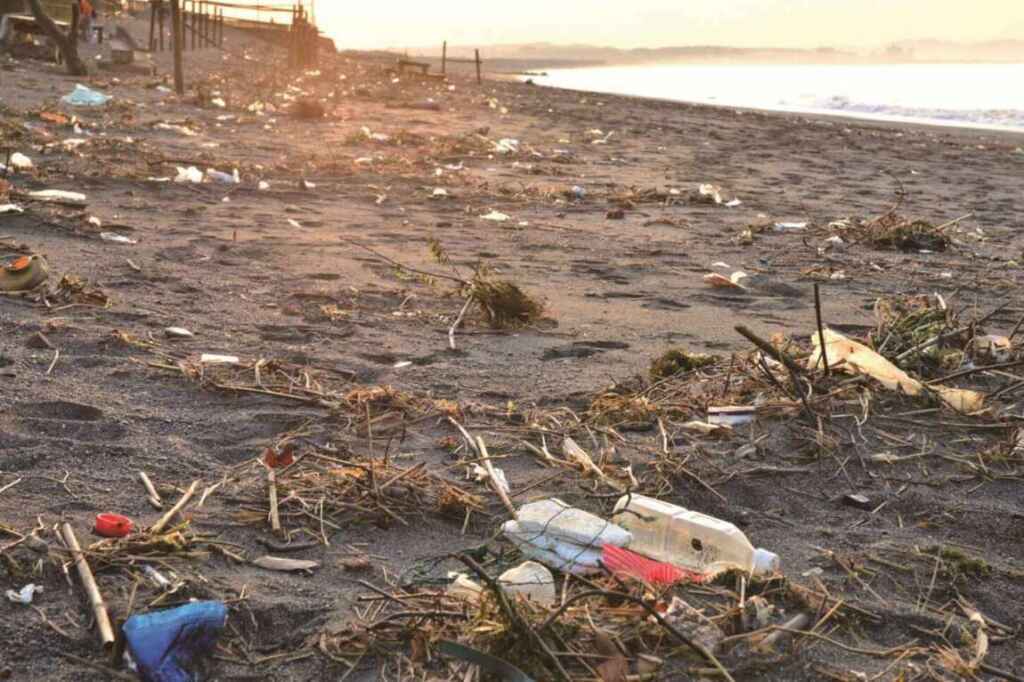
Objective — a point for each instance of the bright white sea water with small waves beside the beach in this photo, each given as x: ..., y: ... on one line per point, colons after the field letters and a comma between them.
x: 985, y: 96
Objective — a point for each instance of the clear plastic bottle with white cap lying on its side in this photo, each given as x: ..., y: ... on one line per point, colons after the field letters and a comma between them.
x: 689, y: 539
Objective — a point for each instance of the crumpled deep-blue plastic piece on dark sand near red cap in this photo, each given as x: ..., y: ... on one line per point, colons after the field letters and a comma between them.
x: 165, y: 645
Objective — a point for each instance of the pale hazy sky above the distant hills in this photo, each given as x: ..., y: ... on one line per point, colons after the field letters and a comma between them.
x: 661, y: 23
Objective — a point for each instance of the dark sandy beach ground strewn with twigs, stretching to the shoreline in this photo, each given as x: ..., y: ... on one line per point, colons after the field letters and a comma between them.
x: 337, y: 284
